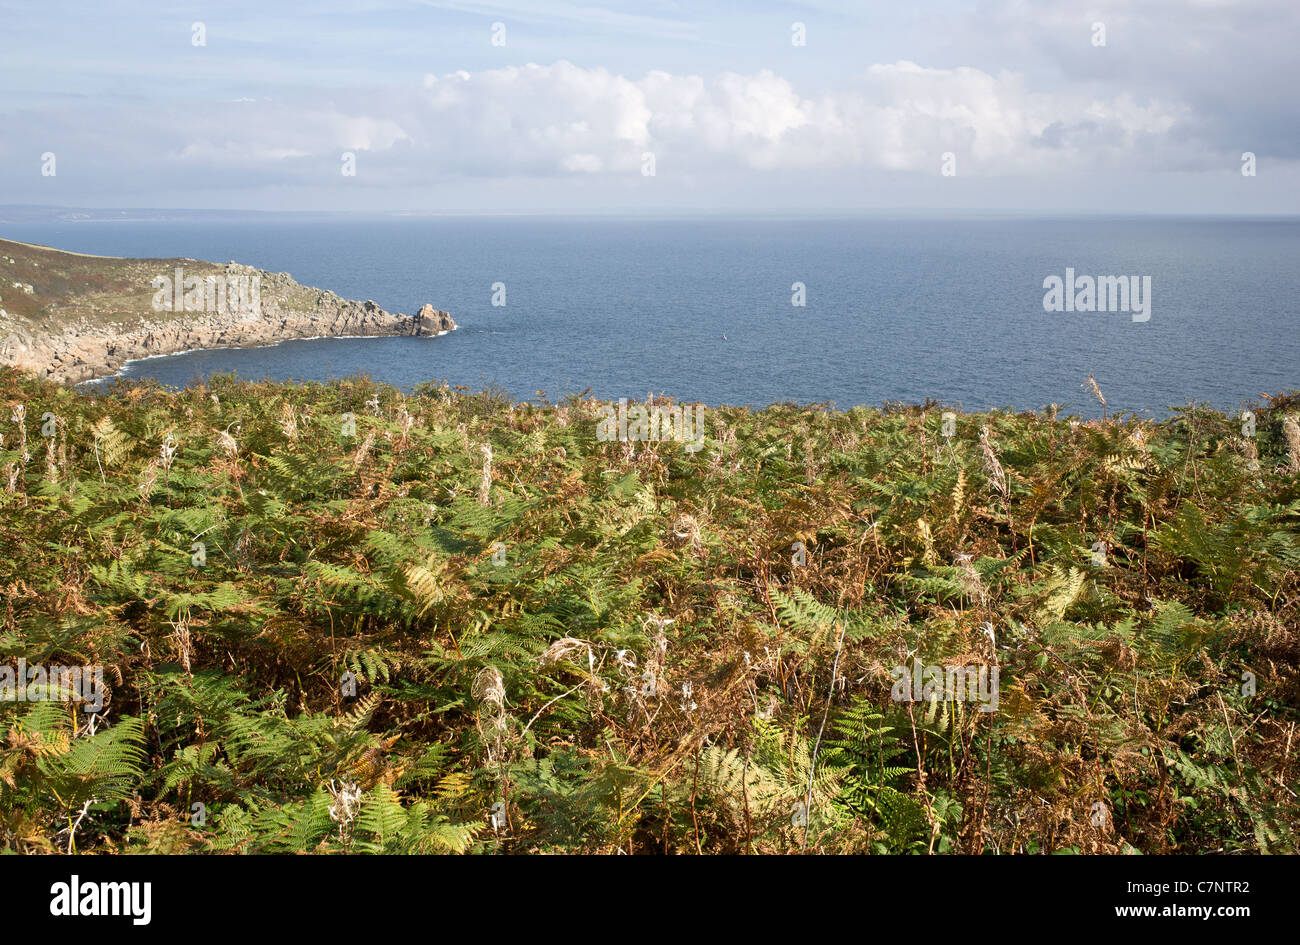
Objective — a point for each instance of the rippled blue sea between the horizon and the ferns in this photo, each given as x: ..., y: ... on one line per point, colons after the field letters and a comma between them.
x: 701, y: 309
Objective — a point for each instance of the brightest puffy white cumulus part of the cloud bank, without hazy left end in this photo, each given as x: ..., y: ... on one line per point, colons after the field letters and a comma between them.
x: 899, y: 116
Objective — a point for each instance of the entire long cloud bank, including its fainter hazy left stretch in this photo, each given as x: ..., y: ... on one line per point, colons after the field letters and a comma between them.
x: 733, y: 133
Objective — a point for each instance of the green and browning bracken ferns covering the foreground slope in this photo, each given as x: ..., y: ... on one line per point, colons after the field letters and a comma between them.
x: 648, y: 661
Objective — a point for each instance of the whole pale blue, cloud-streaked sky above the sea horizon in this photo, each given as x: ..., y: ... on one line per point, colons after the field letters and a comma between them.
x: 532, y: 106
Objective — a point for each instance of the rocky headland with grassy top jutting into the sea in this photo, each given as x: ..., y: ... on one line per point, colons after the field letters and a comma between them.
x: 75, y: 318
